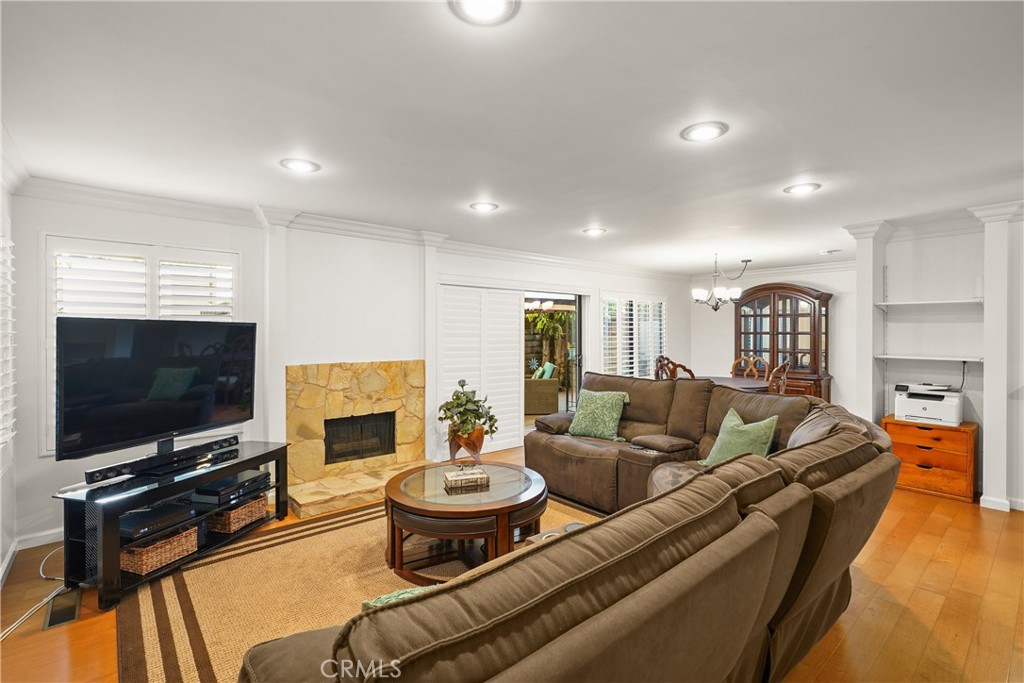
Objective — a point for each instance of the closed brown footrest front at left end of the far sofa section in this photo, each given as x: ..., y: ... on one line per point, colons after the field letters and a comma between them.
x: 577, y: 467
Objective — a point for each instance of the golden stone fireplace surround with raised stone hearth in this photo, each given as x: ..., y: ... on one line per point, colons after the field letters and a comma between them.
x: 389, y: 399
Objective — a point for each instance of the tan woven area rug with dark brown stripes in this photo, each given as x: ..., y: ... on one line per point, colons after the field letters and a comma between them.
x: 196, y: 624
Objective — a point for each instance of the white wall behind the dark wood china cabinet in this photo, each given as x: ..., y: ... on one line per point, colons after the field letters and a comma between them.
x: 713, y: 333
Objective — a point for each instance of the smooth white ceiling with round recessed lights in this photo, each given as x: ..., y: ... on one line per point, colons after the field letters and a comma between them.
x: 567, y: 116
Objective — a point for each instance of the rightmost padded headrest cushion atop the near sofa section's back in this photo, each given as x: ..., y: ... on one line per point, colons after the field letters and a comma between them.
x: 826, y: 460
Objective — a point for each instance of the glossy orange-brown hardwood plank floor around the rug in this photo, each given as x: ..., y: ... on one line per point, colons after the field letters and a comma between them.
x: 937, y: 596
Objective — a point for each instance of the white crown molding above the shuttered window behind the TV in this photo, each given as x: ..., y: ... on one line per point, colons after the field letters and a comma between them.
x: 59, y: 191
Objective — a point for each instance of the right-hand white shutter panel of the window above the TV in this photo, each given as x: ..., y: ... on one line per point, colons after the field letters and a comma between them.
x: 196, y: 291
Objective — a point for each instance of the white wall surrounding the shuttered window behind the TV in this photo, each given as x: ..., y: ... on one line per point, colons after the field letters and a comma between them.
x: 38, y: 476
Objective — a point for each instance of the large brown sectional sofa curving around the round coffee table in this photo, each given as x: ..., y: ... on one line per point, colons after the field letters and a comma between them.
x: 726, y: 574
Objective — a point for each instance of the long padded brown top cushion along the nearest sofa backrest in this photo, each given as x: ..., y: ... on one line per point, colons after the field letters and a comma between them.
x: 478, y: 628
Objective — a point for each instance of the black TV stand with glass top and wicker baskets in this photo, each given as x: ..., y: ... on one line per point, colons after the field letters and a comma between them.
x: 93, y: 537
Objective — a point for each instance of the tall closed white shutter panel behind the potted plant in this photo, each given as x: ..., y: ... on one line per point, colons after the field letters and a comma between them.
x: 481, y: 341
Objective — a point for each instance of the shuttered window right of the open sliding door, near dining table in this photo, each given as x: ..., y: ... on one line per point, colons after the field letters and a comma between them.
x: 632, y: 335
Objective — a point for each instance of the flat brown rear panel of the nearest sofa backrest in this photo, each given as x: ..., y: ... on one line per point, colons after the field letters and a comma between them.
x: 672, y: 629
